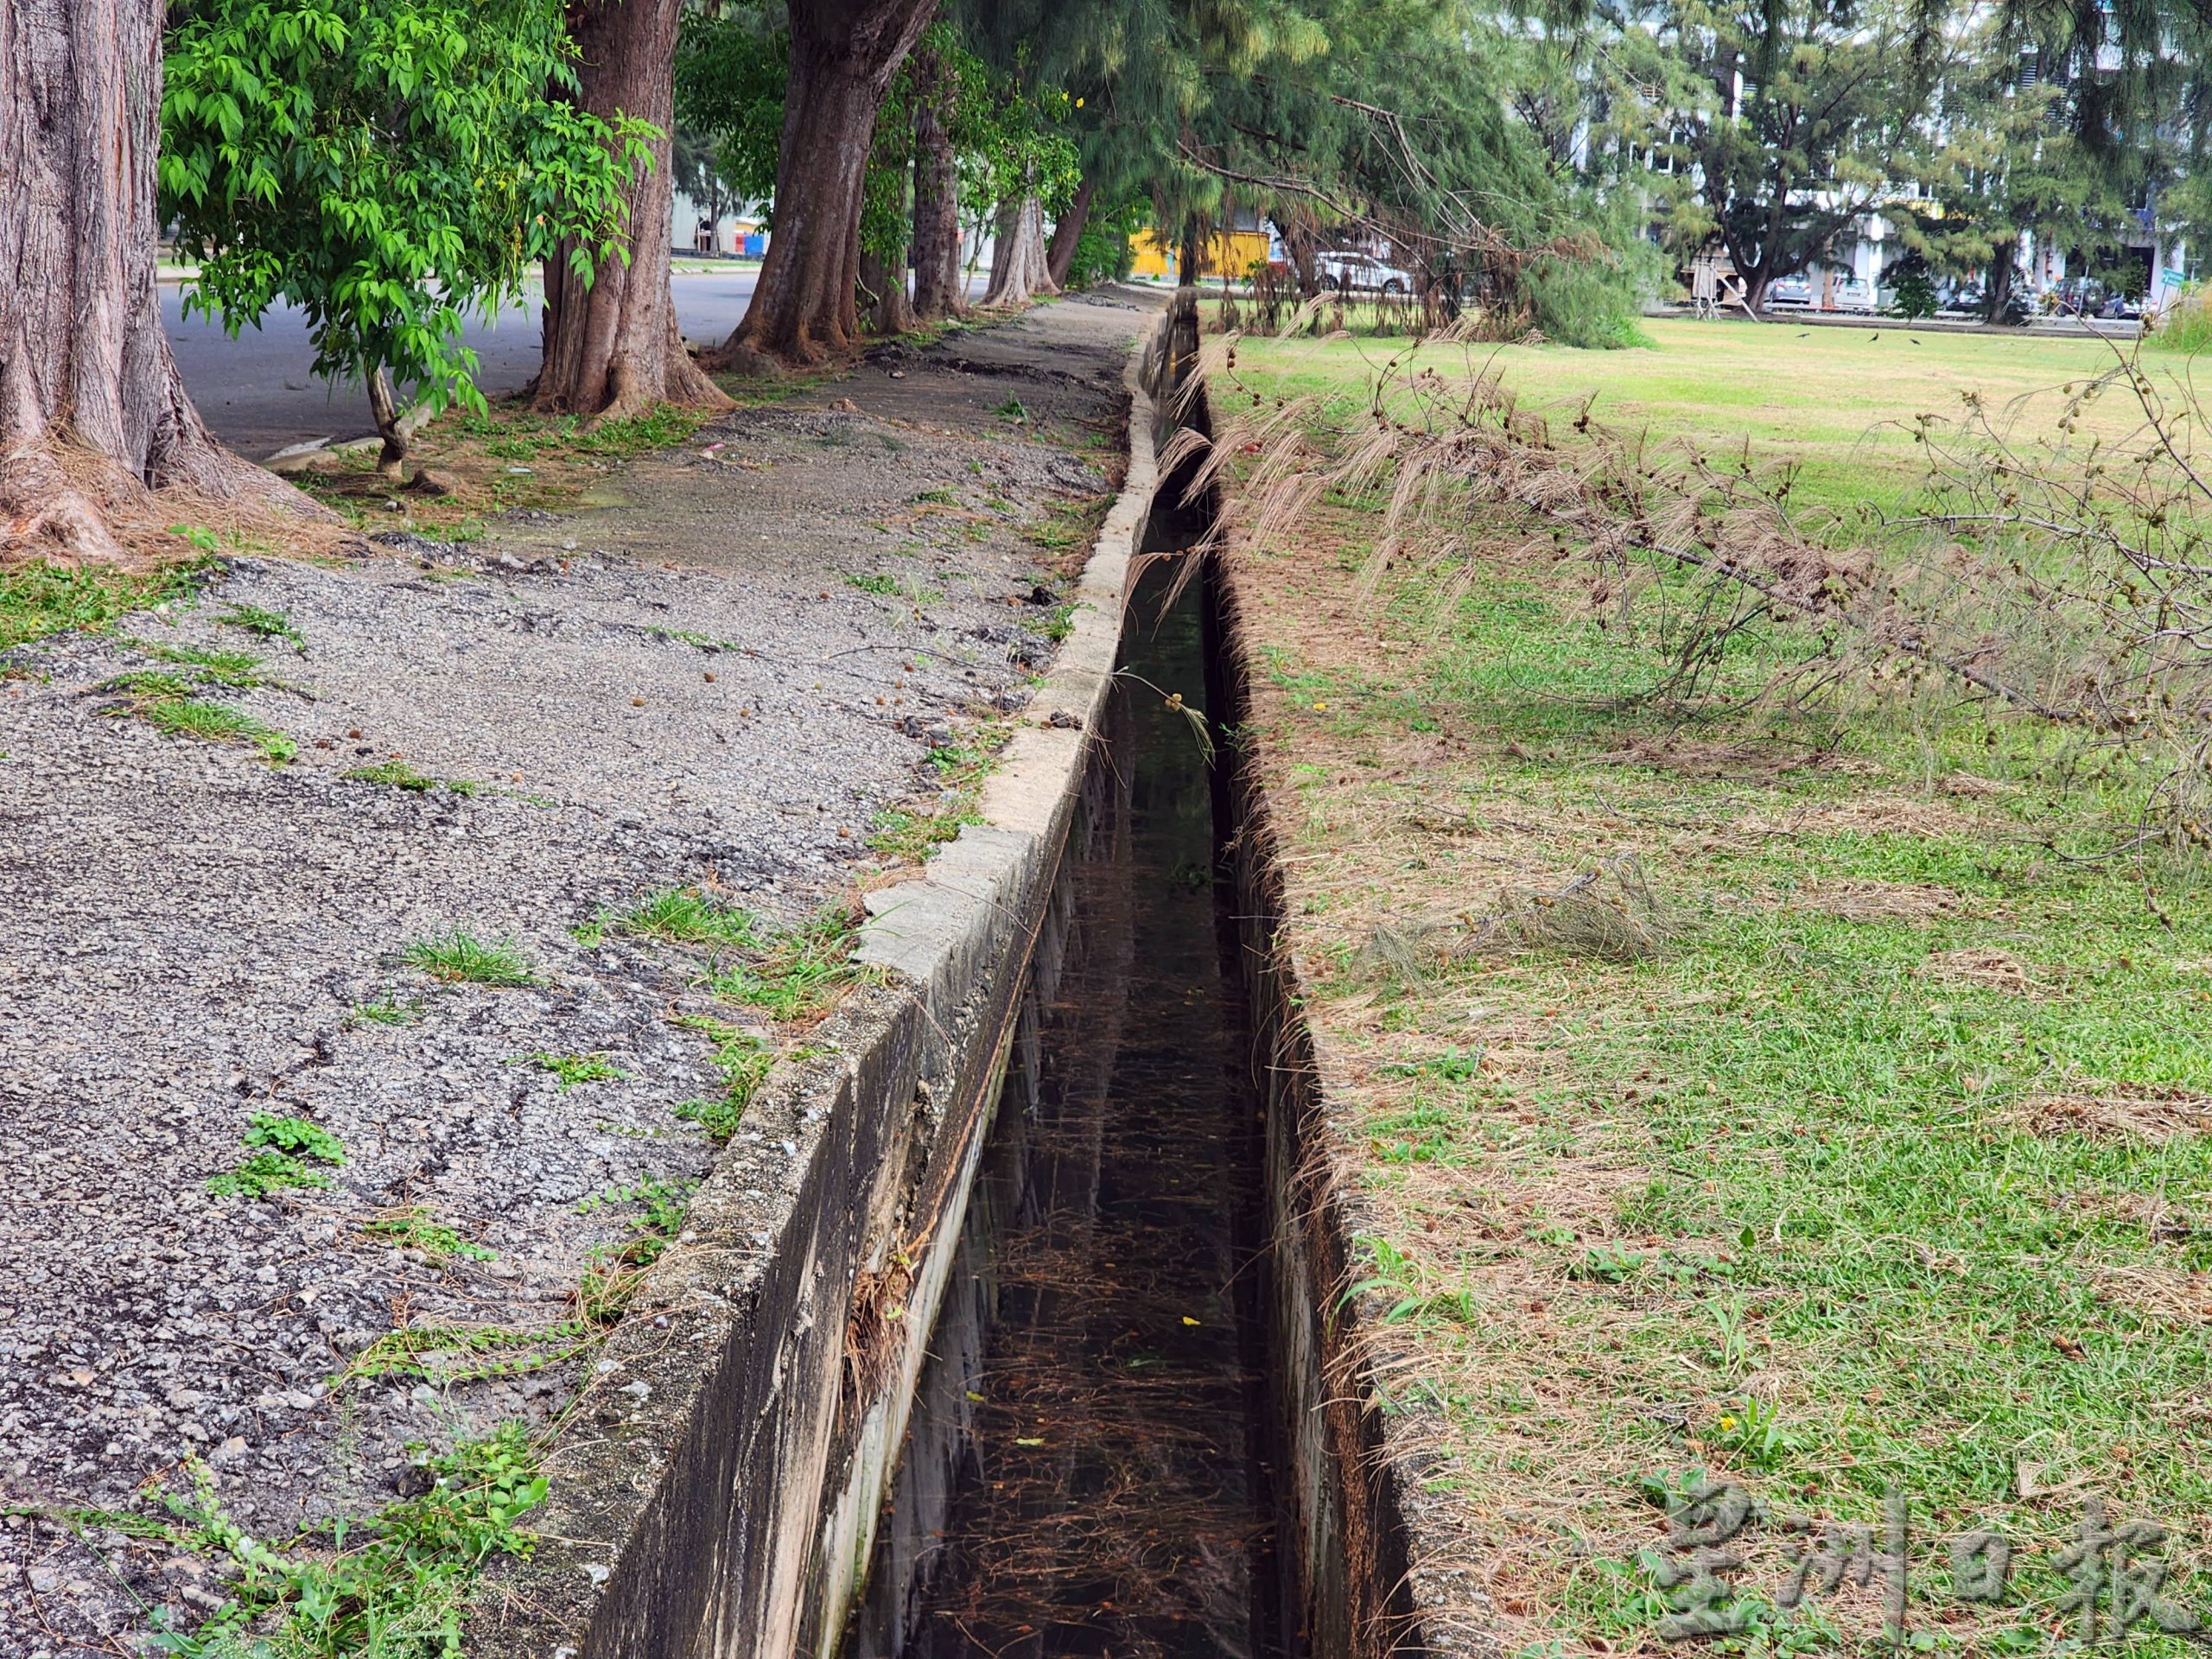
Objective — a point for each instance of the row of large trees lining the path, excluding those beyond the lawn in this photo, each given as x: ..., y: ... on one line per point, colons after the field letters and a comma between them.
x: 390, y: 165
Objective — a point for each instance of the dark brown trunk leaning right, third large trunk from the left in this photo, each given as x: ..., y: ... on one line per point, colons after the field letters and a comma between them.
x: 844, y: 56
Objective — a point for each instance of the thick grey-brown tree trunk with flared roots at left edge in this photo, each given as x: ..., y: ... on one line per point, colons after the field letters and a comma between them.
x: 92, y: 408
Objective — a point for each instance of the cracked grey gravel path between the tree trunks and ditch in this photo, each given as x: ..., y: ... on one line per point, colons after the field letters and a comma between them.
x: 689, y: 689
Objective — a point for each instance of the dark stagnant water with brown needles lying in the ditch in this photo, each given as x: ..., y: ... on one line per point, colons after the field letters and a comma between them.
x: 1116, y: 1499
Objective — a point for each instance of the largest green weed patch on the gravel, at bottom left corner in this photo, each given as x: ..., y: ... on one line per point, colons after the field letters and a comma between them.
x: 393, y: 1587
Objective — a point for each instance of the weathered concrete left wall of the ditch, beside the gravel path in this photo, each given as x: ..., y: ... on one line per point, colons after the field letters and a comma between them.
x: 720, y: 1481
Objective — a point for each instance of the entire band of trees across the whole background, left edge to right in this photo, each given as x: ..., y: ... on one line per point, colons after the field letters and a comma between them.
x: 388, y: 165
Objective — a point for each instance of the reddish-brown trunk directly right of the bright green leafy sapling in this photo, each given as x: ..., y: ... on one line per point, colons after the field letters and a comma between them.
x: 612, y: 346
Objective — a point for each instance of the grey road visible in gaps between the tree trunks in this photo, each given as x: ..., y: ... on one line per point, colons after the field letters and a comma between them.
x: 260, y: 397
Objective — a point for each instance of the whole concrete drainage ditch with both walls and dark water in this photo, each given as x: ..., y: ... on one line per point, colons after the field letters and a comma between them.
x: 1041, y: 1348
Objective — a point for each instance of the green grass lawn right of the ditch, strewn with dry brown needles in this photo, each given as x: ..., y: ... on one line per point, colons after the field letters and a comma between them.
x: 1782, y: 1096
